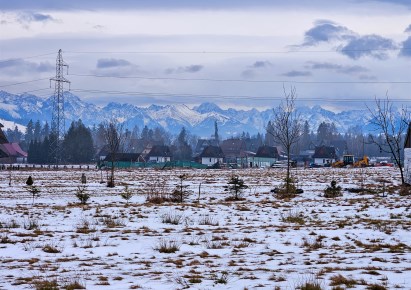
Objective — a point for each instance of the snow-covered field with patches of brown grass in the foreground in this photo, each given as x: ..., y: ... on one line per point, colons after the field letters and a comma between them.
x: 355, y: 241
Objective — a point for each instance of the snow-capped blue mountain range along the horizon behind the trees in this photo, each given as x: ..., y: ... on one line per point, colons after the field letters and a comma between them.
x: 198, y: 120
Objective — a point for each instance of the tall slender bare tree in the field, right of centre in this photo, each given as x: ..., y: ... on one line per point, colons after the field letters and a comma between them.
x: 286, y: 127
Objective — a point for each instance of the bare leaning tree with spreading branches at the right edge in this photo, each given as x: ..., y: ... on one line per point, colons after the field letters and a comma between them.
x: 391, y: 129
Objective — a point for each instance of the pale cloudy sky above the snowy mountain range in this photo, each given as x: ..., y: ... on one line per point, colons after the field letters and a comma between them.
x: 338, y: 54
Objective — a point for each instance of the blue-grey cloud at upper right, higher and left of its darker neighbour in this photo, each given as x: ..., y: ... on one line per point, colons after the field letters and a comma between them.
x: 326, y: 31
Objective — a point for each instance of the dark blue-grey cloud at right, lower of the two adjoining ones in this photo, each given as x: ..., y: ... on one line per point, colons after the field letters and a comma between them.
x: 369, y: 45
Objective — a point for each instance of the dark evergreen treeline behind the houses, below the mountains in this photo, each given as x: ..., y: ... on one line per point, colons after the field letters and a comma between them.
x: 81, y: 144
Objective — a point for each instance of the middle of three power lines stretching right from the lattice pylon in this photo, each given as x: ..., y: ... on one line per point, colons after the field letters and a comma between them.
x: 241, y: 80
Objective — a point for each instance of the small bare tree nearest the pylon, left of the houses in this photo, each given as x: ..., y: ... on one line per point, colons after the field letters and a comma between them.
x: 114, y: 135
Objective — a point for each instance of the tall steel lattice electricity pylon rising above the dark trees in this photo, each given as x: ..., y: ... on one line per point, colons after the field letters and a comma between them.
x: 58, y: 128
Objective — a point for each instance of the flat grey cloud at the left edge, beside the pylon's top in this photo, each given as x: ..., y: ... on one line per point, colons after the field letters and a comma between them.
x: 20, y: 67
